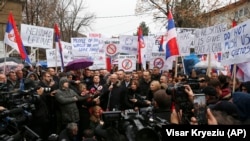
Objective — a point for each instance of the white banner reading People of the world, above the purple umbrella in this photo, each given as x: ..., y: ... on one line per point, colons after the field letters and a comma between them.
x: 81, y: 47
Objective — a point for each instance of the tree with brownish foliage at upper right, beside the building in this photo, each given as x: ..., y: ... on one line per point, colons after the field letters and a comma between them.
x: 187, y: 13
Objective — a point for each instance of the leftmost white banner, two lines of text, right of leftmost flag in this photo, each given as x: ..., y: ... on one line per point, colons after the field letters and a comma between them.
x: 36, y: 36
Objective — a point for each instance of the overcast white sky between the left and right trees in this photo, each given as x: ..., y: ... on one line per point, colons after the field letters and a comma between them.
x: 116, y: 25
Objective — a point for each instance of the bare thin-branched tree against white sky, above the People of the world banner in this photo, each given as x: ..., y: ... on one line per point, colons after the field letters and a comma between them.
x: 70, y: 22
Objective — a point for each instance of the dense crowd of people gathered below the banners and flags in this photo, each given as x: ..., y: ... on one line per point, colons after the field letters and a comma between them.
x: 71, y: 103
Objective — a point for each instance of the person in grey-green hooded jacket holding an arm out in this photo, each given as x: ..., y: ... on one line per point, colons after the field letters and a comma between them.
x: 67, y: 102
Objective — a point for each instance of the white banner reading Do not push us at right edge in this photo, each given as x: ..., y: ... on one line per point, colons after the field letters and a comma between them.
x: 236, y: 44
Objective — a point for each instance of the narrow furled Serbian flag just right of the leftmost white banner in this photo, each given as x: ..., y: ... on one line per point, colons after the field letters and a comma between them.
x: 58, y: 44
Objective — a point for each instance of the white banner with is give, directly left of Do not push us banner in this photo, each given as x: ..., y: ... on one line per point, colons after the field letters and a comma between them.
x: 208, y: 40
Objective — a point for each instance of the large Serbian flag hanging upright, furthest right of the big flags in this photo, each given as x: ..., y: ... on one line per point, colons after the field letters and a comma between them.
x: 172, y: 46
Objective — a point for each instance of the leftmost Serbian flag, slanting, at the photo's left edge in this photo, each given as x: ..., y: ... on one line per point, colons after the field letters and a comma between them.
x: 13, y: 39
